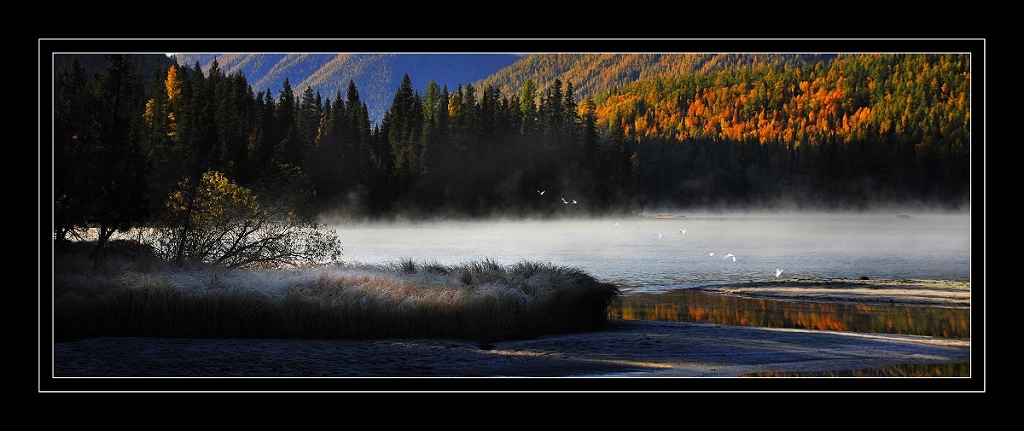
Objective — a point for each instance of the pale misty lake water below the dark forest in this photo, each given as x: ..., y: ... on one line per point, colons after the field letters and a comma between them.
x: 654, y: 254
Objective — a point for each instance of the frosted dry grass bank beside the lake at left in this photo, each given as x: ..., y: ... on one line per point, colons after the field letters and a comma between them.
x: 481, y: 301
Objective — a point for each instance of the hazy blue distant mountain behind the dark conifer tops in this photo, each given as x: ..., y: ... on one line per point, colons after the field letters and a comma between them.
x: 376, y: 76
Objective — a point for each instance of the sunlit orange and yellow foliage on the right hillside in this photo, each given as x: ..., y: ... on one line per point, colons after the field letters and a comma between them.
x: 791, y: 108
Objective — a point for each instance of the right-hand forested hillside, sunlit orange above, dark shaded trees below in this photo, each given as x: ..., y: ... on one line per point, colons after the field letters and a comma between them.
x: 837, y: 132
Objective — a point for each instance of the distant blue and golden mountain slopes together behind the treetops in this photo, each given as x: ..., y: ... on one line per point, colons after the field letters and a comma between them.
x: 378, y: 76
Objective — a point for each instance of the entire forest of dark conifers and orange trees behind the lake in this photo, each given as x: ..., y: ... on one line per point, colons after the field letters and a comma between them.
x: 737, y: 131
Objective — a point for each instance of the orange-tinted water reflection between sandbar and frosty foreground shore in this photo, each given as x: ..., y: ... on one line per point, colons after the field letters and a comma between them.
x: 689, y: 306
